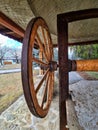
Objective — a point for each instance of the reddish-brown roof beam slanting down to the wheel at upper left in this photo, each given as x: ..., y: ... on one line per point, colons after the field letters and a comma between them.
x: 8, y: 23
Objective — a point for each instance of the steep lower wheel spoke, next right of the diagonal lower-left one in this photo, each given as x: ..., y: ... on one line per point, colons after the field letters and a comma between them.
x: 45, y: 91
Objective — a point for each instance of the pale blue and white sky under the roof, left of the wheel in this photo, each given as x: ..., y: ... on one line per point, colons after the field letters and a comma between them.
x: 5, y: 41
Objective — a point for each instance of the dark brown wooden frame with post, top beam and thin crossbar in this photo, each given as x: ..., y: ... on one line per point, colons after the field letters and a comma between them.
x: 62, y: 27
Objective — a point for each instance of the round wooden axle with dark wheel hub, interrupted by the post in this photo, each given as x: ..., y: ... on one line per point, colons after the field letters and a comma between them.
x: 74, y: 65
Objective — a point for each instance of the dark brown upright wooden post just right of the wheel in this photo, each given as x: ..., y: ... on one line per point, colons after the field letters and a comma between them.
x: 63, y: 70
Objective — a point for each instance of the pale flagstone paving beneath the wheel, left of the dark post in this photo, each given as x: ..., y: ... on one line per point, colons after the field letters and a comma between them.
x: 18, y: 117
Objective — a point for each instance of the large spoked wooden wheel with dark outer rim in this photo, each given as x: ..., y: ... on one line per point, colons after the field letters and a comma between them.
x: 38, y: 96
